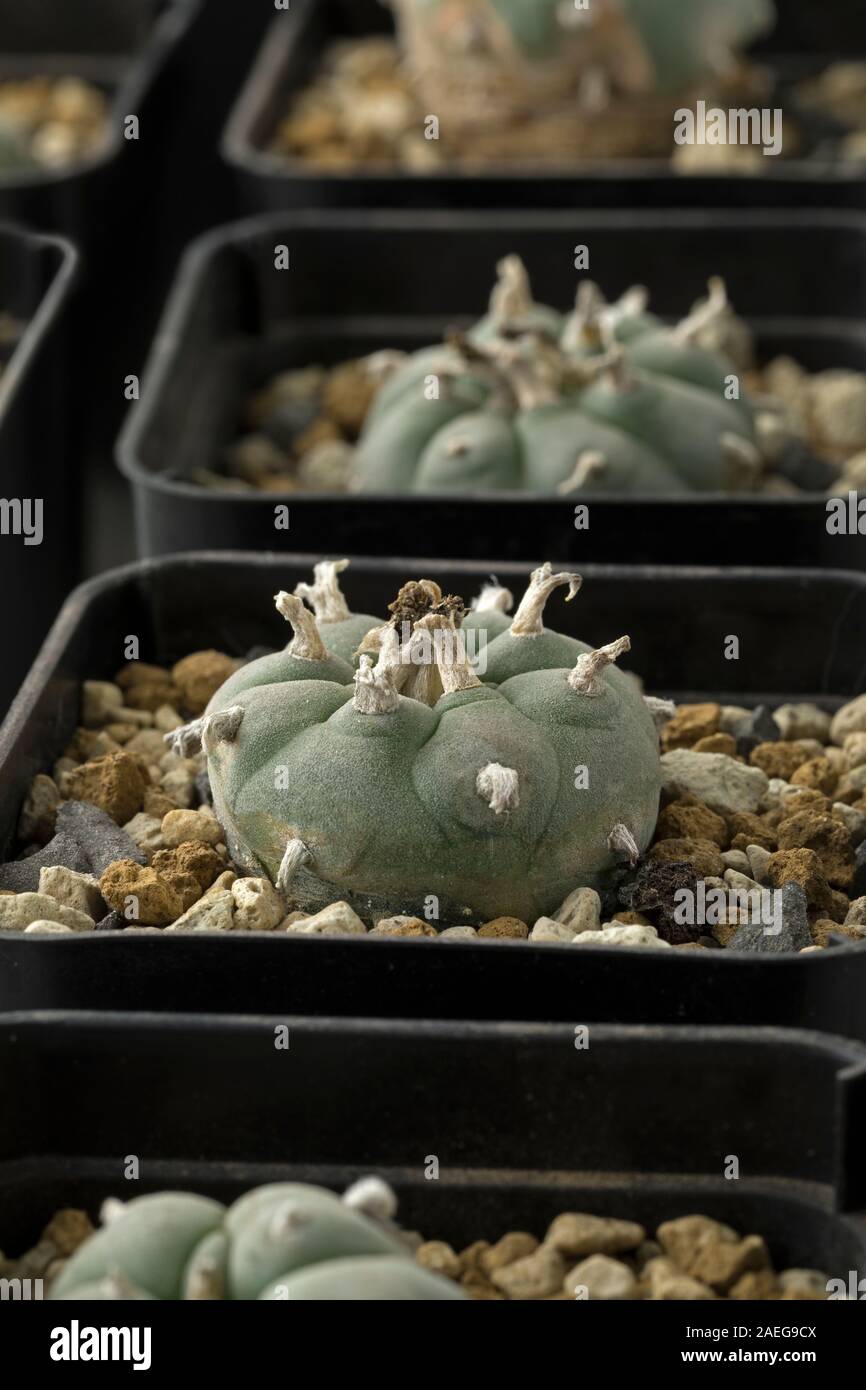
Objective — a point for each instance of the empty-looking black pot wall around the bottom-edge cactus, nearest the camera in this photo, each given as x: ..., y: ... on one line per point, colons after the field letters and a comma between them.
x: 639, y: 1124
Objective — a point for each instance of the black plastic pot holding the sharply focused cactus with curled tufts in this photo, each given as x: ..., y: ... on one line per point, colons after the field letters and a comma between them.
x: 801, y: 637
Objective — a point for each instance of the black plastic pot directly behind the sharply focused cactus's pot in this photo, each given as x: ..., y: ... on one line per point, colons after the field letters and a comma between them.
x: 361, y: 281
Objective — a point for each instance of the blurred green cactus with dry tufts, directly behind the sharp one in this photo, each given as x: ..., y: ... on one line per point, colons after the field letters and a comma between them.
x: 605, y: 400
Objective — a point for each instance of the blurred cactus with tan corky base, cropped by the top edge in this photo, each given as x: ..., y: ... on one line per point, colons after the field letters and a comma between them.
x: 487, y: 62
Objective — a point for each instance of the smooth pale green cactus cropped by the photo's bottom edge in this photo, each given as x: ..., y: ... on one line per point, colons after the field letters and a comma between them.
x: 287, y: 1241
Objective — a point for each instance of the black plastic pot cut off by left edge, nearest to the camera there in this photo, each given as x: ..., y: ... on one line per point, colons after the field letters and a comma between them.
x: 37, y: 276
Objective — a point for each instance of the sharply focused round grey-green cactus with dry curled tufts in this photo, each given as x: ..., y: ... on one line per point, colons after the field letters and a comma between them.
x: 420, y: 783
